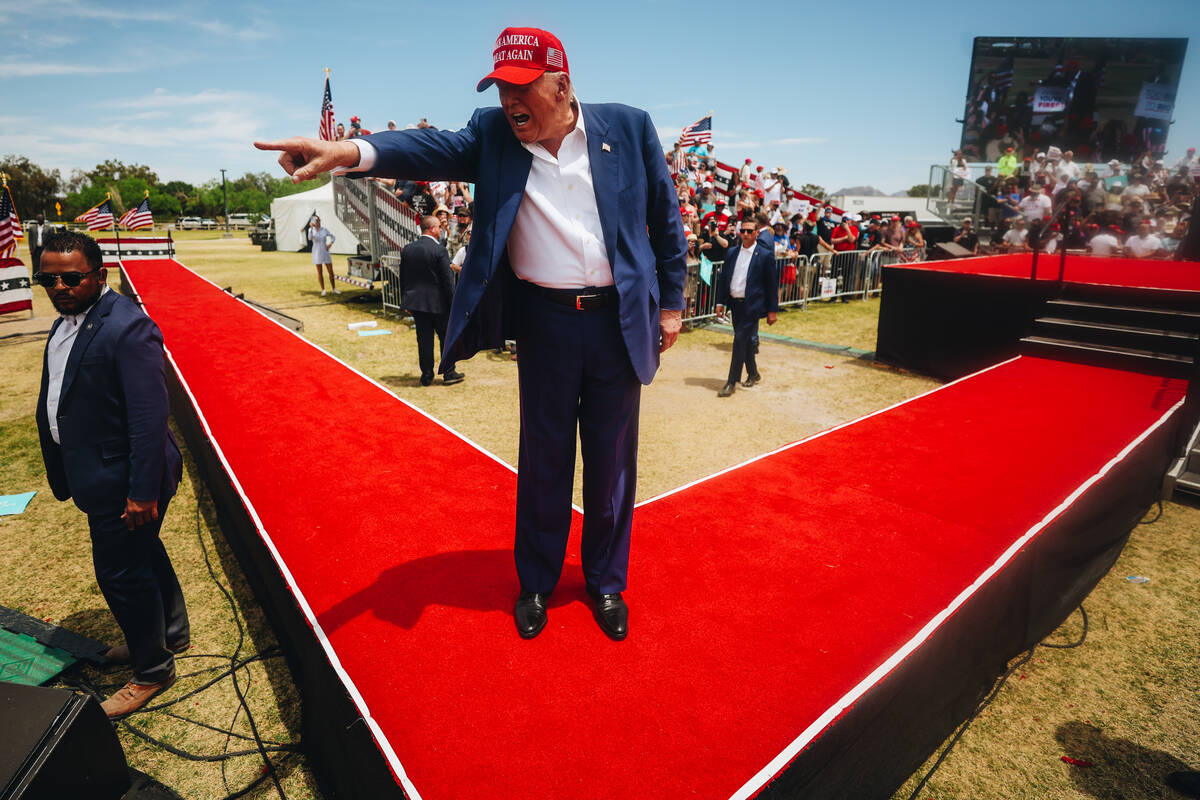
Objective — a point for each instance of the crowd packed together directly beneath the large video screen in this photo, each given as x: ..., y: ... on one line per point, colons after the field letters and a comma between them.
x: 1141, y: 210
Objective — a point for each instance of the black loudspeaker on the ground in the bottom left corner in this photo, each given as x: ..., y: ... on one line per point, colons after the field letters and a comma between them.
x: 58, y: 744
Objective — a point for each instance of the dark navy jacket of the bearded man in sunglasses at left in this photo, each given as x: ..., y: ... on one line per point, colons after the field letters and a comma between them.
x: 112, y: 413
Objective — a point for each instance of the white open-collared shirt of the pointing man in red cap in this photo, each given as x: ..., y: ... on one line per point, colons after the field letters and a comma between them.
x: 557, y: 240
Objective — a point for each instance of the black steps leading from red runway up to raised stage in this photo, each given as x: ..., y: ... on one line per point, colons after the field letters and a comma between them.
x: 1155, y: 333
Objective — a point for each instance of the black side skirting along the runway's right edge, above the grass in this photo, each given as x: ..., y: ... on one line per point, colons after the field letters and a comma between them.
x: 884, y: 738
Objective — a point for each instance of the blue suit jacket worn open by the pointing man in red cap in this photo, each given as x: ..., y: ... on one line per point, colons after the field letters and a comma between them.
x: 635, y: 196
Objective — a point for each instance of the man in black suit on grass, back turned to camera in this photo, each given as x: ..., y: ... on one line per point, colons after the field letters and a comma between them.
x: 427, y: 287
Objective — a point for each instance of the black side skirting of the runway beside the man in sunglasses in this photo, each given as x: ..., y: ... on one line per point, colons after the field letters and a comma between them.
x: 341, y: 751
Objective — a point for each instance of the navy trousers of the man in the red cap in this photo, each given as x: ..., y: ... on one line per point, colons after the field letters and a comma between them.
x: 574, y: 375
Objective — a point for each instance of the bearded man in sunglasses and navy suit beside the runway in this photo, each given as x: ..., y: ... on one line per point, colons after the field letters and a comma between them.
x: 103, y: 420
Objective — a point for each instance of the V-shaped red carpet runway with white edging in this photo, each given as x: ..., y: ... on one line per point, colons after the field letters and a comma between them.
x: 843, y: 556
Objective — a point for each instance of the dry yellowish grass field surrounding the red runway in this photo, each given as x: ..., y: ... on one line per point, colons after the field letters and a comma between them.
x: 1127, y: 700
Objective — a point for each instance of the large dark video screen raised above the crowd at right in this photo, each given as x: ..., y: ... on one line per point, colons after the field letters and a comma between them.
x: 1101, y: 98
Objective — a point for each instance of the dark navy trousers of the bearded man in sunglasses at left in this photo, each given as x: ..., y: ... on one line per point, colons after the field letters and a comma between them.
x: 136, y: 578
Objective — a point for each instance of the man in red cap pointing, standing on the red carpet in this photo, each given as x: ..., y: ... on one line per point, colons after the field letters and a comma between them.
x: 578, y: 254
